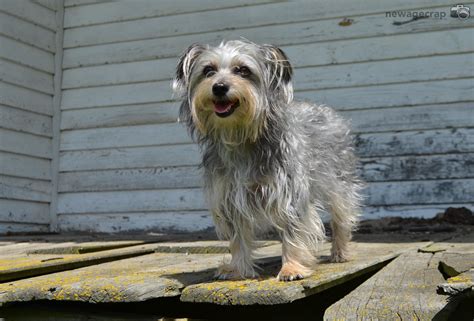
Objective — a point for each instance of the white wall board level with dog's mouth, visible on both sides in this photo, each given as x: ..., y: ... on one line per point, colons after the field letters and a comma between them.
x: 452, y: 115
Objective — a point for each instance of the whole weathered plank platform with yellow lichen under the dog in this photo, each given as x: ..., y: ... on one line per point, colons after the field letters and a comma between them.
x: 415, y: 278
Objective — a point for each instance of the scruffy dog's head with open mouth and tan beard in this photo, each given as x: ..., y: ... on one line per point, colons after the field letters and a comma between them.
x: 229, y: 91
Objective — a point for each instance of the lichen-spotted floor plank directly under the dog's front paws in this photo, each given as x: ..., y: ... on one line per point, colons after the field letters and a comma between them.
x: 268, y: 290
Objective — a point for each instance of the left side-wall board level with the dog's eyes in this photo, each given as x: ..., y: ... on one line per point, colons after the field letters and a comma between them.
x: 26, y: 77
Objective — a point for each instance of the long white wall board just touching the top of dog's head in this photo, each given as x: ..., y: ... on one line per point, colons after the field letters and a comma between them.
x: 278, y: 35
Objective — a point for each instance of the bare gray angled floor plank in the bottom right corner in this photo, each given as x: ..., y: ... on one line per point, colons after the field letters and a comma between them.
x: 404, y: 289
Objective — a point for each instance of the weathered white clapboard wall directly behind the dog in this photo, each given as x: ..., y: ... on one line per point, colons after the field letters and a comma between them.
x: 125, y: 164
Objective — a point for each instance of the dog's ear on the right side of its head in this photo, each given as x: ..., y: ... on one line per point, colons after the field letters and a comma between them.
x: 280, y: 71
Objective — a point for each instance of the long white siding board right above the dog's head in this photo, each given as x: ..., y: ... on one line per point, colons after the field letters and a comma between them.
x: 168, y: 47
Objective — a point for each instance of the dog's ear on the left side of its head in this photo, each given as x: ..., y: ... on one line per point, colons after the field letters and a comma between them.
x: 185, y: 65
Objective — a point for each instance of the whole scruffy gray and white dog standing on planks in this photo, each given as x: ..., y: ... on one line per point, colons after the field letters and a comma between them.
x: 269, y: 162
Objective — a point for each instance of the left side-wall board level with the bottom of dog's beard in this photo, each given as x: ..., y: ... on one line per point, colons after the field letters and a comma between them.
x: 26, y: 144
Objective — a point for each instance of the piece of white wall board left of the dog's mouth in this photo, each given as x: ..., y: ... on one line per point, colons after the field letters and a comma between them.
x: 138, y: 114
